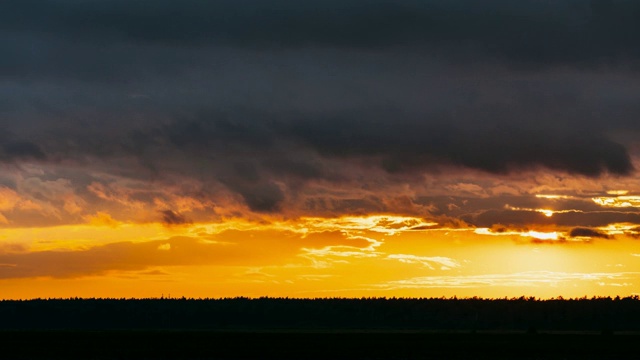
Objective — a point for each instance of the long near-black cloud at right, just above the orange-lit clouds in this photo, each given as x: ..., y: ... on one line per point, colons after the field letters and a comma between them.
x: 499, y: 147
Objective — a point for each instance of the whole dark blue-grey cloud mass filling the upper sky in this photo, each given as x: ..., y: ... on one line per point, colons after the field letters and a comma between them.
x: 263, y: 97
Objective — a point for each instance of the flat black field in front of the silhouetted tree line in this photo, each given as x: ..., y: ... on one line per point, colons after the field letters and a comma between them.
x: 312, y: 345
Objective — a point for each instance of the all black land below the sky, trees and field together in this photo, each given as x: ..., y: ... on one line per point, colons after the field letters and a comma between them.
x: 241, y: 328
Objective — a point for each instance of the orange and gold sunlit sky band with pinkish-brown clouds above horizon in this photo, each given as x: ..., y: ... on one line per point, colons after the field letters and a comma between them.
x: 459, y: 233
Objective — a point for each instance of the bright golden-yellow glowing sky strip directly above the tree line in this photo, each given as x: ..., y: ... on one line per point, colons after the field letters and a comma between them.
x: 377, y: 255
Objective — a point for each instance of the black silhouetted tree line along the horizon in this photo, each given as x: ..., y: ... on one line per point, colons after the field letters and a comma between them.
x: 603, y: 314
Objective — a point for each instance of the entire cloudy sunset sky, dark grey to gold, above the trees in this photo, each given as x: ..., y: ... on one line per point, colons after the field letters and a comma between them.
x: 319, y: 148
